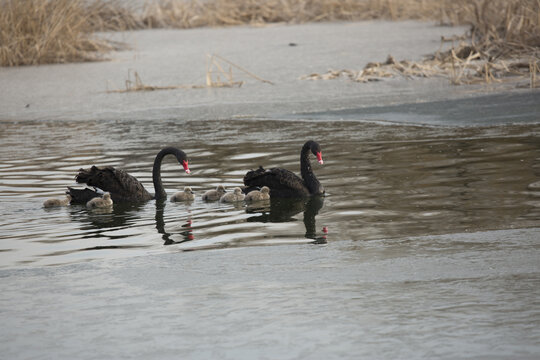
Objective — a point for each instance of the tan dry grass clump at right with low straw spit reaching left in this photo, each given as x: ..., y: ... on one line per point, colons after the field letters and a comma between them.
x: 504, y: 42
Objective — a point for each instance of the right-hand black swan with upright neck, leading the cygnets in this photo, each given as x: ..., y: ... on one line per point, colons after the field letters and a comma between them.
x: 284, y: 183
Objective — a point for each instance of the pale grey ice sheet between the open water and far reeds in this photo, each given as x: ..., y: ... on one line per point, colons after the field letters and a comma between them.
x: 177, y: 57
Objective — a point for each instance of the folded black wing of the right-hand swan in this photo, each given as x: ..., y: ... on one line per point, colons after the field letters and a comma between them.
x: 282, y: 183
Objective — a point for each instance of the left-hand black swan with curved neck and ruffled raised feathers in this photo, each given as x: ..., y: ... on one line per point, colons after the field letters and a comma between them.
x: 122, y: 186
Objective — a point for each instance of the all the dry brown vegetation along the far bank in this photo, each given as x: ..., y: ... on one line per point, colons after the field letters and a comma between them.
x: 504, y: 38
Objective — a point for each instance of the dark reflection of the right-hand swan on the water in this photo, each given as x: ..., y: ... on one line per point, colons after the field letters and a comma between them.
x: 283, y: 210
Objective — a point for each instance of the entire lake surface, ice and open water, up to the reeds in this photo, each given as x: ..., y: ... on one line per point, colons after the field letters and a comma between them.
x: 426, y: 245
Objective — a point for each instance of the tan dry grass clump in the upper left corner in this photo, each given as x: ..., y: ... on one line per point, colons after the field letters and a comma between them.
x: 46, y: 31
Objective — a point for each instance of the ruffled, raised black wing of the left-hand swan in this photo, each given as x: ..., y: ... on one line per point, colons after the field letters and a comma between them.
x: 122, y: 186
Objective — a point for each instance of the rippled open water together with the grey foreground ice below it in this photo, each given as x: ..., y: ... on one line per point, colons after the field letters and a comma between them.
x: 410, y: 254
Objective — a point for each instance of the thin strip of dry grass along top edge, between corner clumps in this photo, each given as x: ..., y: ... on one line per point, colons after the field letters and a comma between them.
x: 198, y: 13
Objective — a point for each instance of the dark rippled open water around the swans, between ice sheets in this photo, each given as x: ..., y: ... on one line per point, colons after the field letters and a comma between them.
x: 383, y: 181
